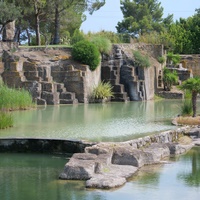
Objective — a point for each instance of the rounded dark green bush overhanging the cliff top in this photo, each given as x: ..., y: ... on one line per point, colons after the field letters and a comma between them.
x: 87, y: 53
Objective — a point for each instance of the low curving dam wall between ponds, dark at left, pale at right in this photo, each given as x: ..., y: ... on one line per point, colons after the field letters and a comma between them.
x: 41, y: 145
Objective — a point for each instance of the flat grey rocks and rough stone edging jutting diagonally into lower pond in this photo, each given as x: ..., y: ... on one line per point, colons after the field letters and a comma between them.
x: 109, y: 165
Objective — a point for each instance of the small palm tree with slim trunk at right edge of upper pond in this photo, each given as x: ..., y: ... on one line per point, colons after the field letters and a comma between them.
x: 193, y: 85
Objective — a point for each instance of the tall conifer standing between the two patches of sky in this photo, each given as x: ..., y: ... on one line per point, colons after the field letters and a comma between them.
x: 140, y: 16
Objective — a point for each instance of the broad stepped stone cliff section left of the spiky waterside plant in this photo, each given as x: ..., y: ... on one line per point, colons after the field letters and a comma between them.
x: 50, y: 75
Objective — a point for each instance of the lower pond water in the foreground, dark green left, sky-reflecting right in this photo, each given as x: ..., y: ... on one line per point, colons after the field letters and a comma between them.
x: 35, y: 177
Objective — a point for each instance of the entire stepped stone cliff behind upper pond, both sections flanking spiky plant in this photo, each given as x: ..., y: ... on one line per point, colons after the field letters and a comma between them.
x: 52, y: 77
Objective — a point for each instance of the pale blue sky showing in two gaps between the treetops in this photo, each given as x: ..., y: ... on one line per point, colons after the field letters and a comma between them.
x: 110, y: 14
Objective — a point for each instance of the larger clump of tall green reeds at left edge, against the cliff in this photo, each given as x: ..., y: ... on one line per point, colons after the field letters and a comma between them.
x: 13, y: 99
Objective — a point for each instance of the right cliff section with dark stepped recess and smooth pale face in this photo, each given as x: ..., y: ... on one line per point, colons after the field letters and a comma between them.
x: 129, y: 80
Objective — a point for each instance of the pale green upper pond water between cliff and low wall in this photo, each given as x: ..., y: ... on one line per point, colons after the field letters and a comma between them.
x: 95, y: 122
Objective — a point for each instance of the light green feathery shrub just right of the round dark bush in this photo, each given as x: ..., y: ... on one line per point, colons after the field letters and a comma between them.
x: 103, y: 44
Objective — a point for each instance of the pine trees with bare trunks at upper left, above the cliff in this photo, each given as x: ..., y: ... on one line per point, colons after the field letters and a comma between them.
x: 49, y: 18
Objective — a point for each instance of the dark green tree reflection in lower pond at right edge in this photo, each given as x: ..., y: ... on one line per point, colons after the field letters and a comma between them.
x: 192, y: 178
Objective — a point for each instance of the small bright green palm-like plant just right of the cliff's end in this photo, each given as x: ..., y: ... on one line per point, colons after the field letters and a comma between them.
x: 169, y: 78
